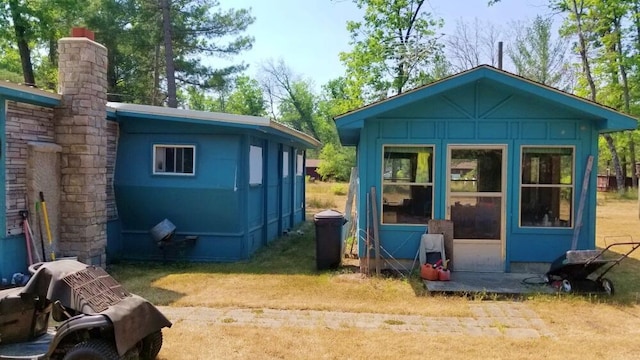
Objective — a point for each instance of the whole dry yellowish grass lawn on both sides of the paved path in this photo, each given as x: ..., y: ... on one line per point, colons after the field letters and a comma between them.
x: 283, y: 277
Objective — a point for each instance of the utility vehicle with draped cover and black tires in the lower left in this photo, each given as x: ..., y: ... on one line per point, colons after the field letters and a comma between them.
x: 92, y: 317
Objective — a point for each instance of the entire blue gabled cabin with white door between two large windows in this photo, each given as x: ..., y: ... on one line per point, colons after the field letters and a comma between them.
x: 501, y: 156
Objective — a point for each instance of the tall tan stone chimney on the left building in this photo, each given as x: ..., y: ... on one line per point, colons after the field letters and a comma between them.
x: 80, y: 129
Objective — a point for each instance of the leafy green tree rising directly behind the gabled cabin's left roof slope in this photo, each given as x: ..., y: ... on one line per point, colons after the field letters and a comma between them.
x: 393, y: 47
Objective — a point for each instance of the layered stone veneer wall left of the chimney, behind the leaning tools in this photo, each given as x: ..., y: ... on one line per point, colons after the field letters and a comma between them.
x: 24, y: 124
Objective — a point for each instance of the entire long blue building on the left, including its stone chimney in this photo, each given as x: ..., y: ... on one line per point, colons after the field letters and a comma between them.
x: 110, y: 172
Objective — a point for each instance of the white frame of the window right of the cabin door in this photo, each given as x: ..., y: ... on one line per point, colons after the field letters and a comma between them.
x: 570, y: 186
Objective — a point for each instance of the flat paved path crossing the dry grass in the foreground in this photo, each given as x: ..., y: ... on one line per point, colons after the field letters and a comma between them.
x: 499, y: 319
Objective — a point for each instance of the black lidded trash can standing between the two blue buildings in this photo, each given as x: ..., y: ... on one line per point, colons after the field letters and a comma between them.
x: 328, y: 239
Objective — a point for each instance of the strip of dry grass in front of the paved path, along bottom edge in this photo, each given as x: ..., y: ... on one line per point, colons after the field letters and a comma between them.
x: 236, y: 342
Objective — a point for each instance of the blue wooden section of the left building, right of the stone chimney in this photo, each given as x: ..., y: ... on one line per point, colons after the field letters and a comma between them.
x: 234, y: 181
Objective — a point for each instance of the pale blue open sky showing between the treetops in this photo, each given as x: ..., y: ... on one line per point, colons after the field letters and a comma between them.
x: 309, y: 34
